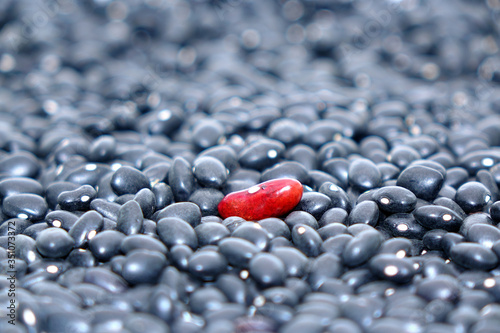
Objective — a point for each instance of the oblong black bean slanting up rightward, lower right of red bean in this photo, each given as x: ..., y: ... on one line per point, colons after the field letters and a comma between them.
x: 361, y: 248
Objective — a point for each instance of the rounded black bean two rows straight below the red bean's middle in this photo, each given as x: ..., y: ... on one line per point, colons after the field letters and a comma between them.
x: 267, y: 270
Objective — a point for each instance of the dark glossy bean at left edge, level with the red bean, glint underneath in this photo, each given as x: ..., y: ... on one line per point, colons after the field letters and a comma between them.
x: 25, y: 206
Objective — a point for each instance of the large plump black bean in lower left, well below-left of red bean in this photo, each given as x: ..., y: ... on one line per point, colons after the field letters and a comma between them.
x: 143, y: 266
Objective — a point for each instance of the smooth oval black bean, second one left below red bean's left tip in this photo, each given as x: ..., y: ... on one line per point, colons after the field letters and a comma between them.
x: 173, y: 231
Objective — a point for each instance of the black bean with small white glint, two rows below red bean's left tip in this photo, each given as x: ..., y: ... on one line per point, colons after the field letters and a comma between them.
x: 207, y: 265
